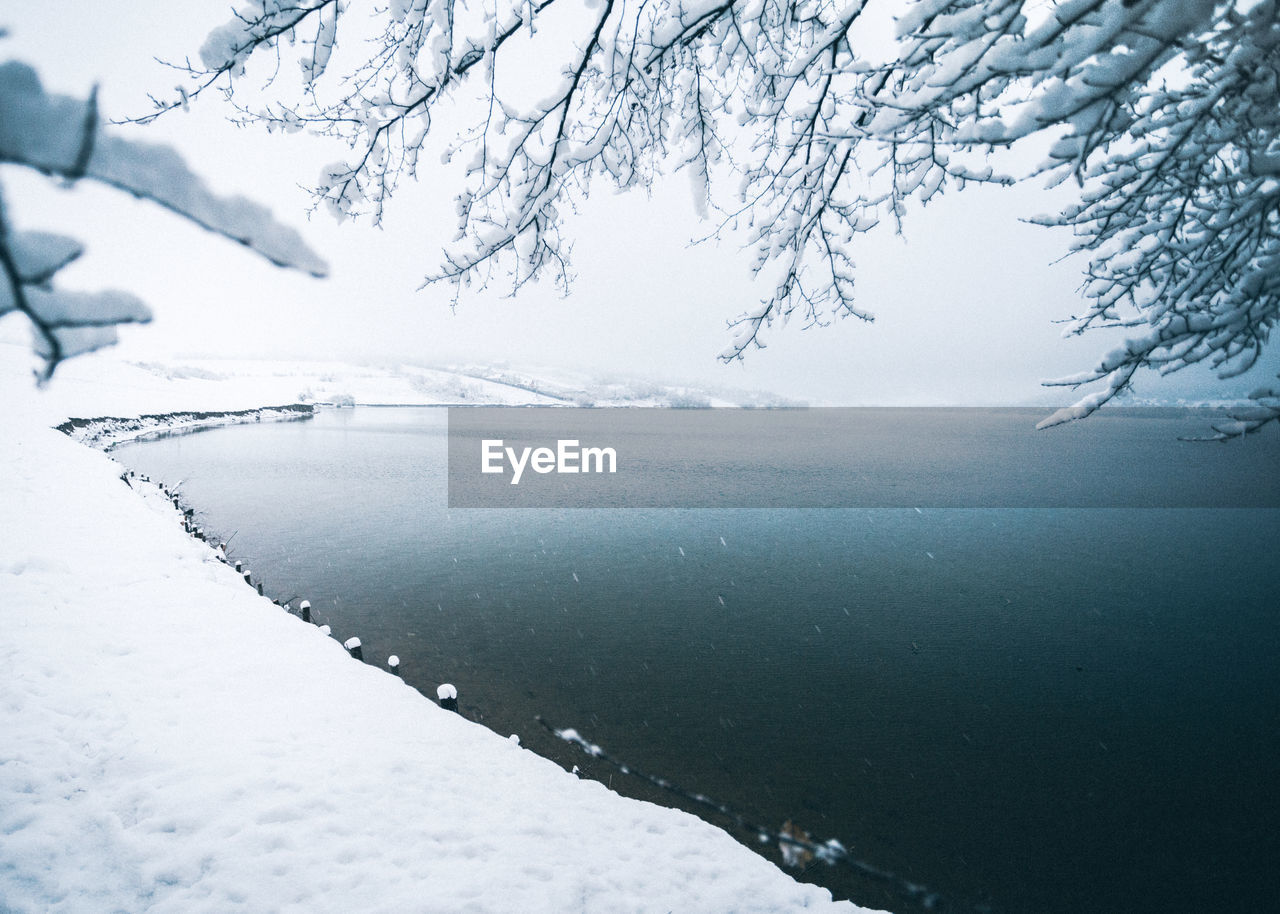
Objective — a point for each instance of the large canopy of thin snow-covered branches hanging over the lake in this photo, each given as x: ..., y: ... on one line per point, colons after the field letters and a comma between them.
x: 799, y: 127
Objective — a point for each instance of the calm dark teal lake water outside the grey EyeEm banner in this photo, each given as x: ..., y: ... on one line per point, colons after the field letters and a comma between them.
x: 1026, y: 710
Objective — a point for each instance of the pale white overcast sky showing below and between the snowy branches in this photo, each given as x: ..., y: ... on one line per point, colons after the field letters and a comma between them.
x: 966, y: 303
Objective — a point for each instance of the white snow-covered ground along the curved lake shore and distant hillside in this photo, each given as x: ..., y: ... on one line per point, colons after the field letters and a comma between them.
x: 176, y: 743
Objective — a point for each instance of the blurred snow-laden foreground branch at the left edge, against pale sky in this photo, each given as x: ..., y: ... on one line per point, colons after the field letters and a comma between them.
x: 62, y: 138
